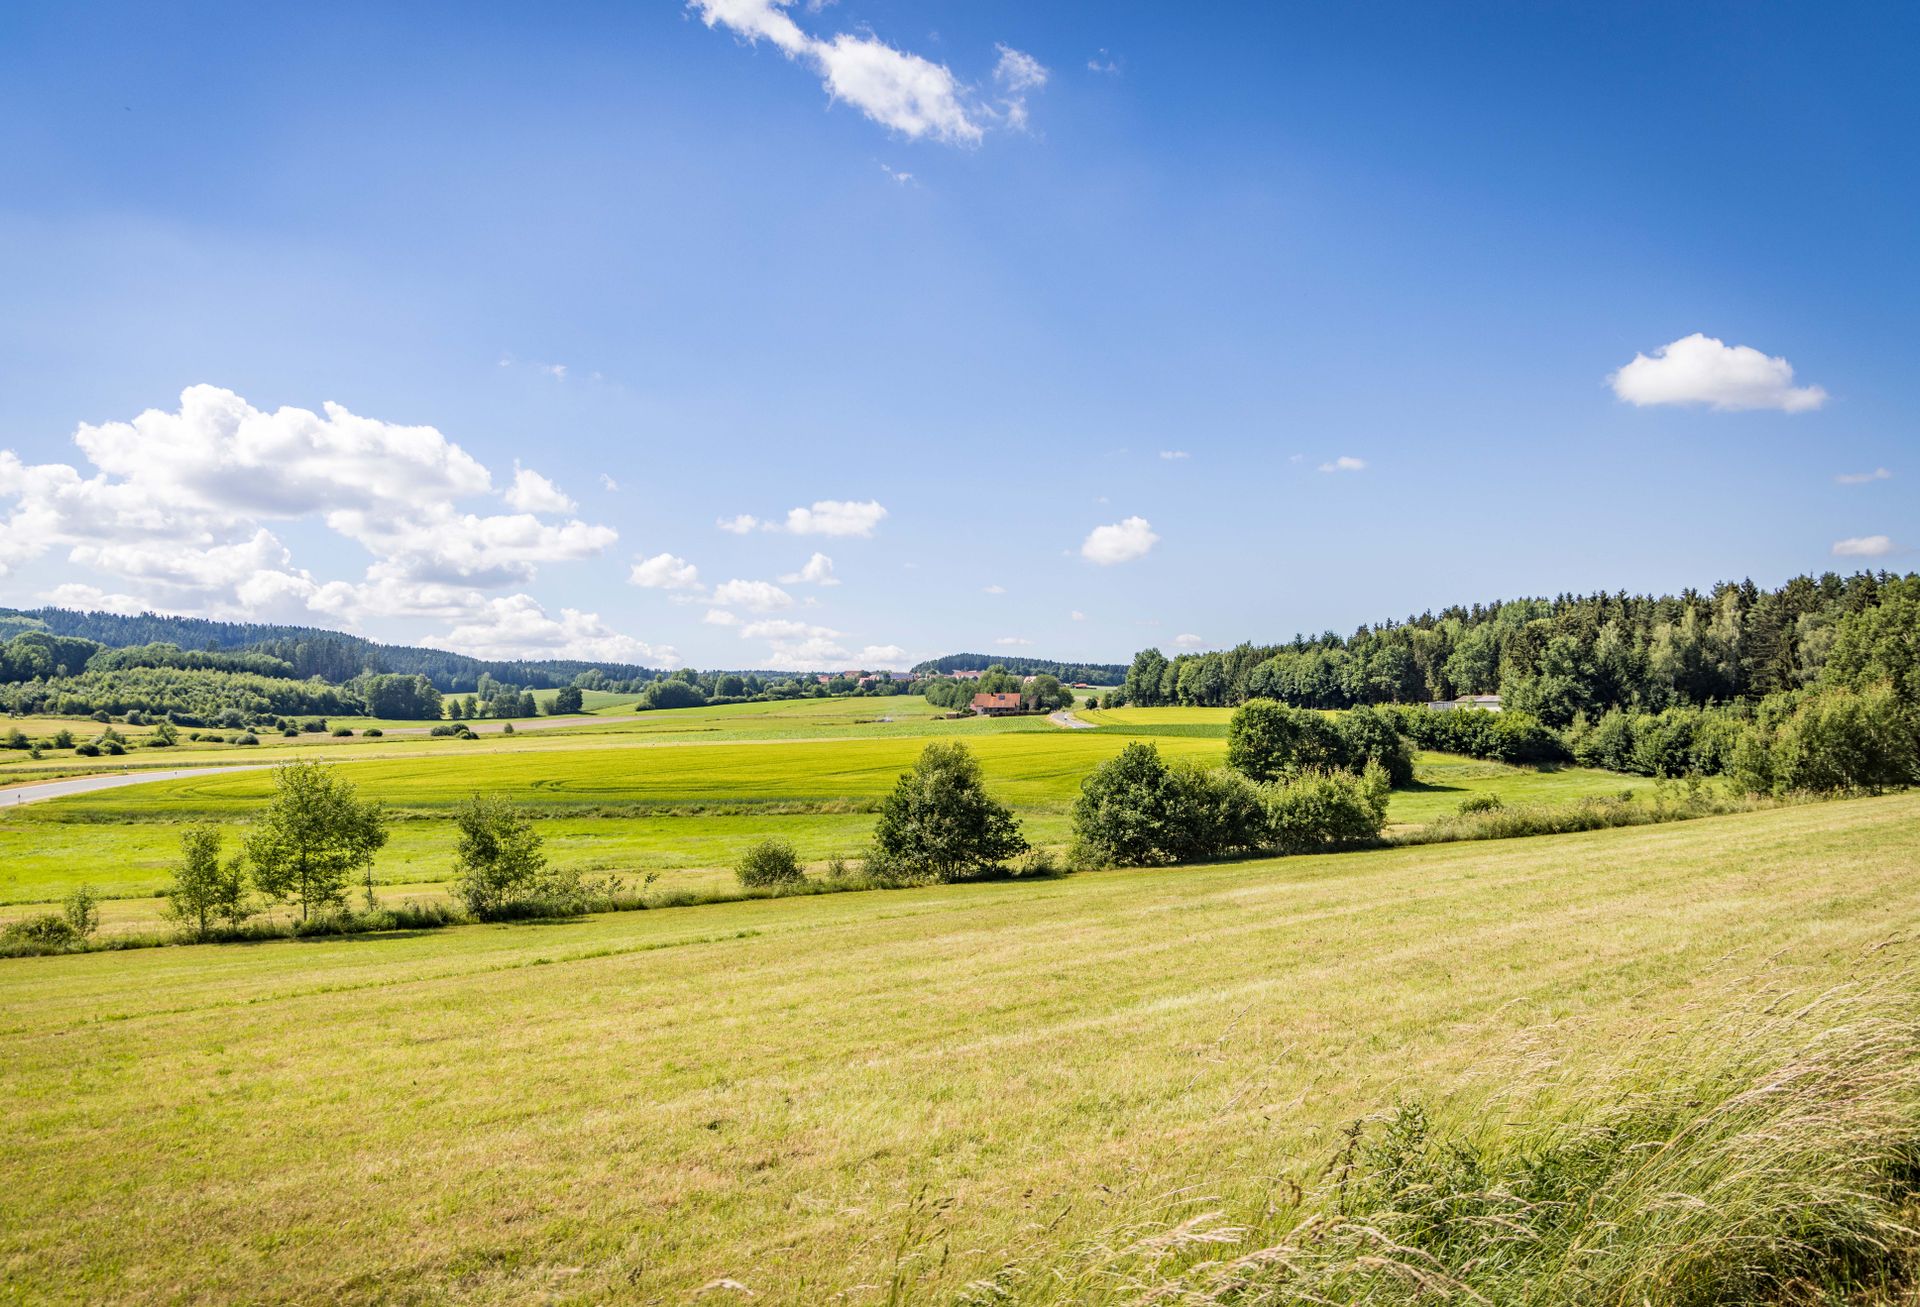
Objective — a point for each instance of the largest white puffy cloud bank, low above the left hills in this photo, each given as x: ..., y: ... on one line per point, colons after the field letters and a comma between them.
x: 180, y: 502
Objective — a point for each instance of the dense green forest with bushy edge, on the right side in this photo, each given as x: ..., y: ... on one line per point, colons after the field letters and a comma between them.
x: 1735, y: 680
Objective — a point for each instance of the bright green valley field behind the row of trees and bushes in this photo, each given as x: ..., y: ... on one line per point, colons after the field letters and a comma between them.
x: 675, y: 794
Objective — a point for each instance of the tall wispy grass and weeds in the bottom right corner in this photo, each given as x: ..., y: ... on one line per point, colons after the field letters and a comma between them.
x: 1765, y: 1154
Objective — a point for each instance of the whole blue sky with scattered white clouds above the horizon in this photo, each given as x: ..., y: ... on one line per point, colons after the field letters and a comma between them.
x: 1040, y: 323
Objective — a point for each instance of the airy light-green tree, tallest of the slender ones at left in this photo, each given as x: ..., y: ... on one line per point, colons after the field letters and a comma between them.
x: 314, y: 838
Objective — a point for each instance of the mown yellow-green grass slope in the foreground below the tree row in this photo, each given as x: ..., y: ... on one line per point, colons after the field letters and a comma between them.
x: 629, y: 1106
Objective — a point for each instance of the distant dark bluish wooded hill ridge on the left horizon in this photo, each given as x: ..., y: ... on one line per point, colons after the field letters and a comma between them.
x: 308, y: 650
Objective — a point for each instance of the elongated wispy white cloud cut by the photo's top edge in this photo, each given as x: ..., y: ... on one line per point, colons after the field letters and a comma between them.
x: 896, y: 89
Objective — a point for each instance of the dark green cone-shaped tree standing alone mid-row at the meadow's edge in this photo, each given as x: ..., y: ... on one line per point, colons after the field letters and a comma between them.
x: 940, y: 824
